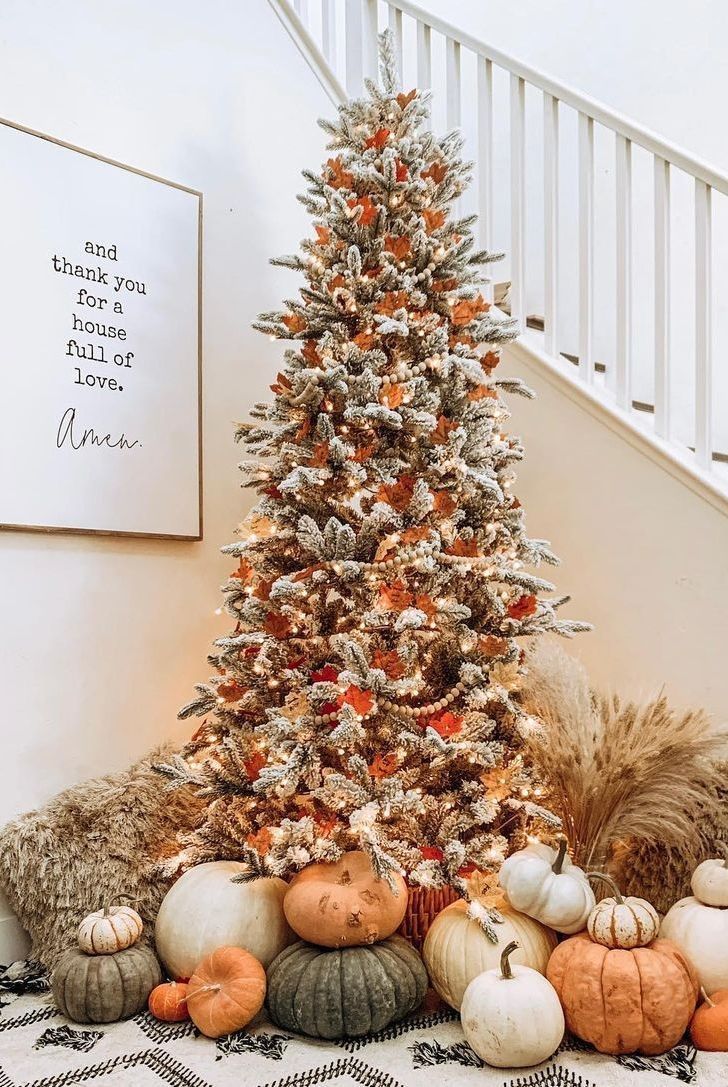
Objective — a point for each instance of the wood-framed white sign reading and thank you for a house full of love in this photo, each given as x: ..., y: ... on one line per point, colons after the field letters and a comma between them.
x: 101, y: 365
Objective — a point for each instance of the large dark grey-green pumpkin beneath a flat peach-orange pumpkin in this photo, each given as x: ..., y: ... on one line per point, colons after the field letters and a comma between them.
x: 345, y: 993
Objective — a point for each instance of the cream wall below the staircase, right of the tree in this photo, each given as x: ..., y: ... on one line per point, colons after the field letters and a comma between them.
x: 644, y: 558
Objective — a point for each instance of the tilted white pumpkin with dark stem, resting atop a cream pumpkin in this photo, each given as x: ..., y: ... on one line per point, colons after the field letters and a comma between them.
x: 543, y: 883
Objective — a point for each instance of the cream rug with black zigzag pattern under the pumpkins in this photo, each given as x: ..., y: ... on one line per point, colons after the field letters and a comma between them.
x: 40, y: 1048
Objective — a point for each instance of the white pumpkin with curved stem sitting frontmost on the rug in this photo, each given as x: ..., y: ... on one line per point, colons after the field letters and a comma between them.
x: 512, y: 1017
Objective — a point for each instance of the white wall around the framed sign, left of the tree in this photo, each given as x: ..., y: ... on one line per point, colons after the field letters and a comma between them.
x: 104, y: 639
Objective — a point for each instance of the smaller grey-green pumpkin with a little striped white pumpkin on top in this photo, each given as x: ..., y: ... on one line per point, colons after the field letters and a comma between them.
x: 104, y: 989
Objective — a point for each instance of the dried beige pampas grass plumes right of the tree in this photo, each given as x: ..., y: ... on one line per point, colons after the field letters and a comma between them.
x: 618, y: 772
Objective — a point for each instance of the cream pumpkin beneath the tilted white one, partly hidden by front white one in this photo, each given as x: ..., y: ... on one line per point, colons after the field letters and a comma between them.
x: 457, y: 949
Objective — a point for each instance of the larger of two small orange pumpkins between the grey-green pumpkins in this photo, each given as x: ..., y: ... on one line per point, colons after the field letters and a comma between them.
x: 227, y: 991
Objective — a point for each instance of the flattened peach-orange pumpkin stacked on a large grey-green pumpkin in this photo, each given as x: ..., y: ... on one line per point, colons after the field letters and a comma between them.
x: 345, y: 904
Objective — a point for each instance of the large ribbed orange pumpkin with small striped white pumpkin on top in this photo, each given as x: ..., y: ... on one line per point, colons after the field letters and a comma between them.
x: 624, y: 1002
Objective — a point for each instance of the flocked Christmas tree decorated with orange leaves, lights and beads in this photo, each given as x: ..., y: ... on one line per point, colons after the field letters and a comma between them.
x: 367, y: 697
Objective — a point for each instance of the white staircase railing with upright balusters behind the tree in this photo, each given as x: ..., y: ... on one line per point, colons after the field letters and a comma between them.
x: 610, y: 230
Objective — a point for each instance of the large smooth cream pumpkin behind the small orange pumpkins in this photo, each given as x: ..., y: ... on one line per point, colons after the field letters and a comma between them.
x: 205, y: 910
